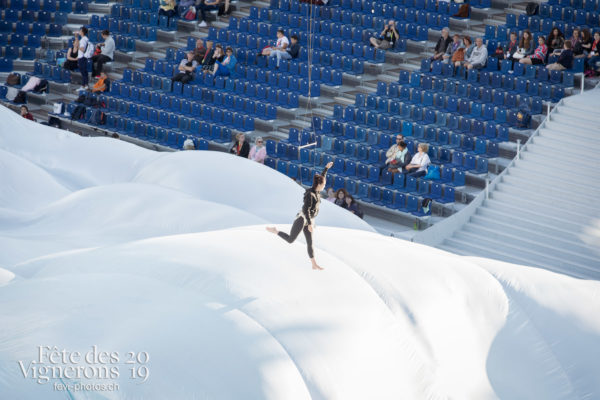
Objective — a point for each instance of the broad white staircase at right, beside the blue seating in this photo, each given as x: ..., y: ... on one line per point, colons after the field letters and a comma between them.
x: 545, y: 212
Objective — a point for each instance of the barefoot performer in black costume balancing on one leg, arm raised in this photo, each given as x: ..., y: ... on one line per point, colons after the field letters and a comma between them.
x: 305, y: 219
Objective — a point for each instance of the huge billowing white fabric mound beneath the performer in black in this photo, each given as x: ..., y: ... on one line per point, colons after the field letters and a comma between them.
x: 106, y: 244
